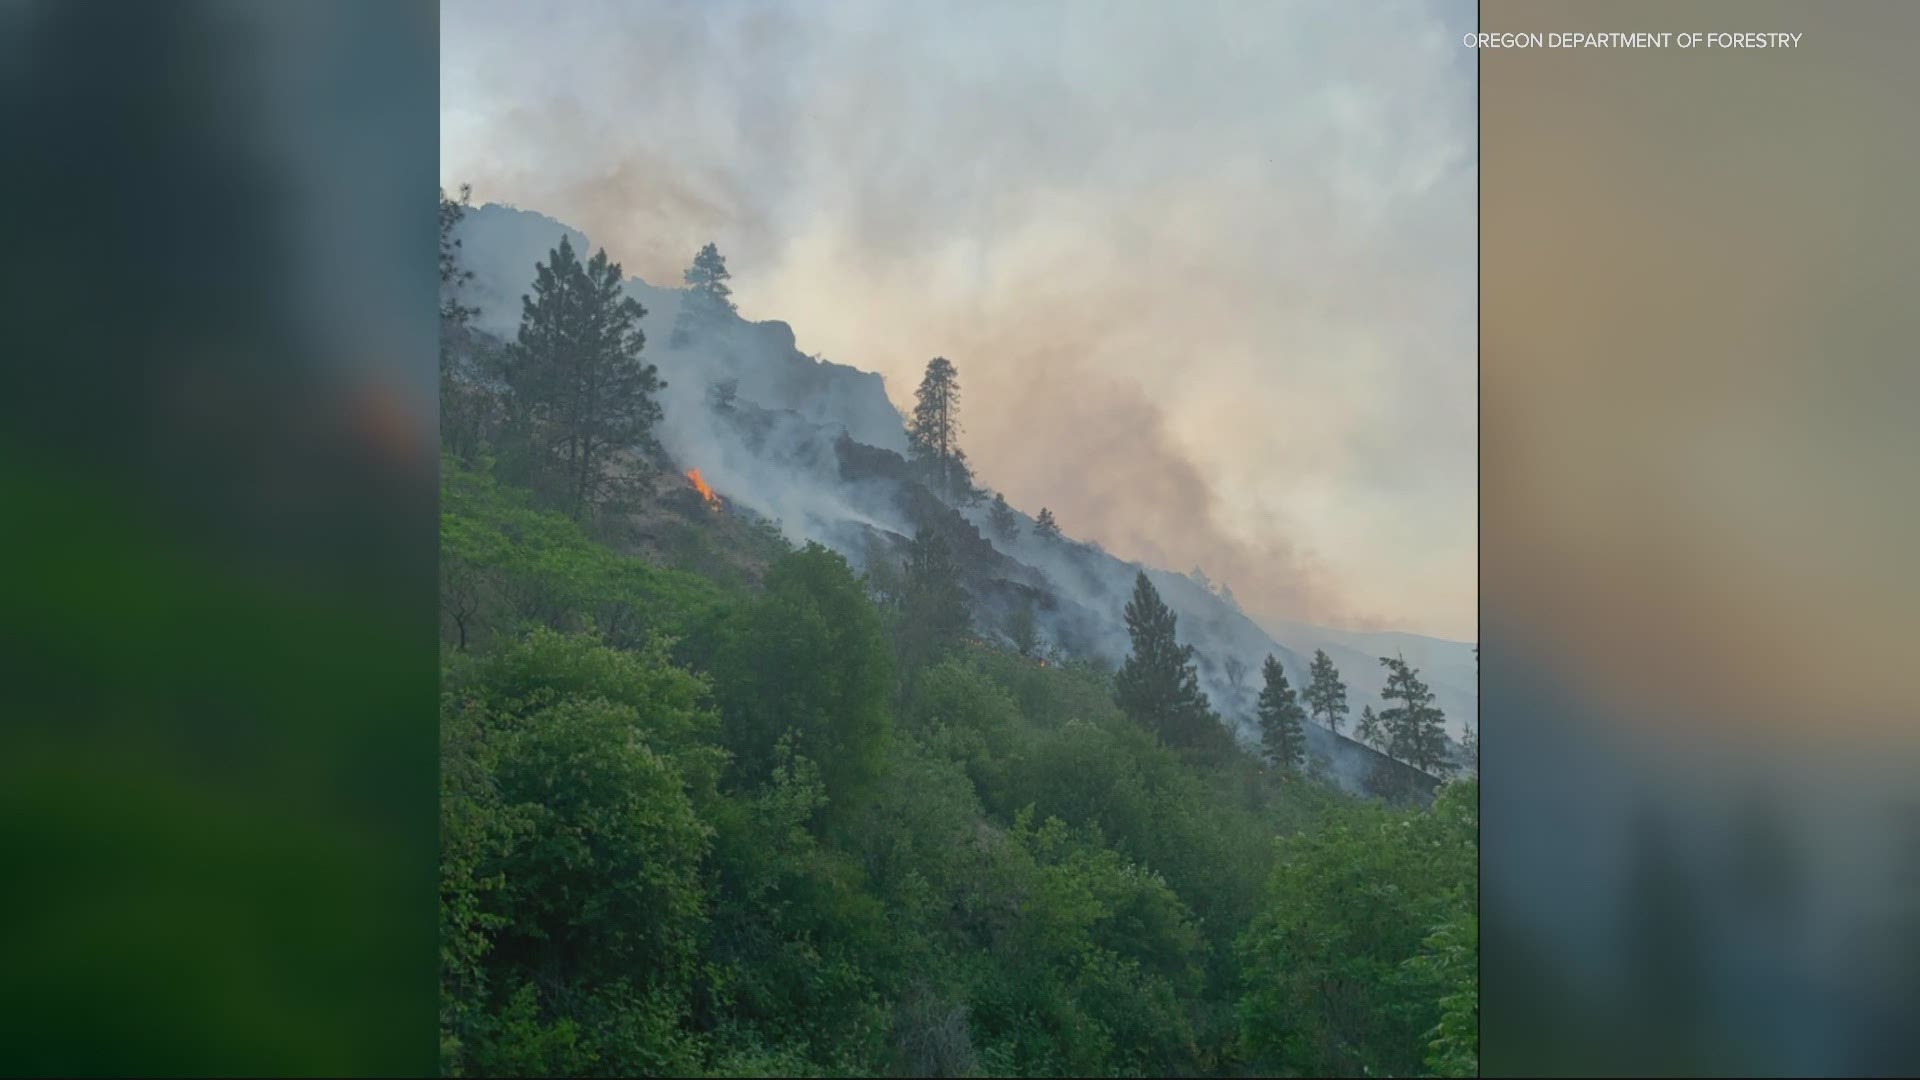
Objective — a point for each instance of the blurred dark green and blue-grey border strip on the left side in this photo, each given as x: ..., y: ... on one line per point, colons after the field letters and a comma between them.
x: 218, y: 756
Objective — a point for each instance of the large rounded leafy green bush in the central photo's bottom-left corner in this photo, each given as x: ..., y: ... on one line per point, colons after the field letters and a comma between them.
x: 573, y: 900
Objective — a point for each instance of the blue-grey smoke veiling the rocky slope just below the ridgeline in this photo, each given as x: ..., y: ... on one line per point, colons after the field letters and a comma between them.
x: 819, y: 449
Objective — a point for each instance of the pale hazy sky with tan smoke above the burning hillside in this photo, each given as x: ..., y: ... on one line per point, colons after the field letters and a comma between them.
x: 1207, y: 270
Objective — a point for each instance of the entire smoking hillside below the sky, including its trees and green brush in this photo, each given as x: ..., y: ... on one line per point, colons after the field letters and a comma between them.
x: 798, y: 758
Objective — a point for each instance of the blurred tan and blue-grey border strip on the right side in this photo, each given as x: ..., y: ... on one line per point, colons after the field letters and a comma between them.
x: 1698, y: 456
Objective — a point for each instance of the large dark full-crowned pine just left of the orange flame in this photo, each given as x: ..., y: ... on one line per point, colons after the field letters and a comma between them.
x: 581, y: 391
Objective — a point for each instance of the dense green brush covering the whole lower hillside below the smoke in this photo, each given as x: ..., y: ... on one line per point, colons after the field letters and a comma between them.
x: 794, y: 822
